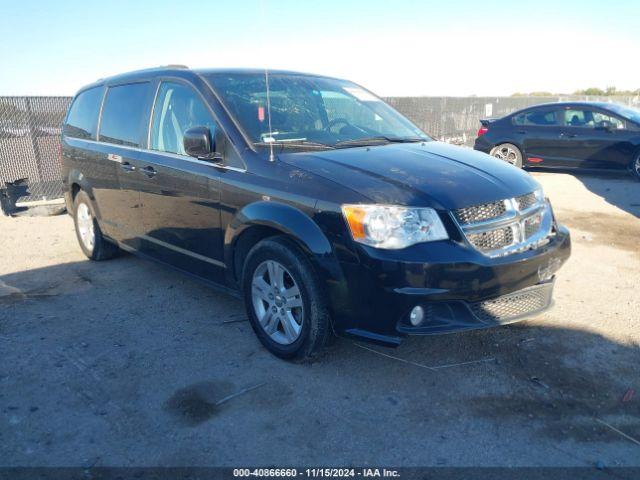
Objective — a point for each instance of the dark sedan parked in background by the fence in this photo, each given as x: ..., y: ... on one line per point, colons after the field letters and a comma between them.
x: 590, y: 135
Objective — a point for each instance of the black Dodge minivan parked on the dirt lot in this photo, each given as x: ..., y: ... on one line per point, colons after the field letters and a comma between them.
x: 324, y: 207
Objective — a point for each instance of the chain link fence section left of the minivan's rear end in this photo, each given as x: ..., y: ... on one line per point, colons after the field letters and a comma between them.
x: 30, y: 130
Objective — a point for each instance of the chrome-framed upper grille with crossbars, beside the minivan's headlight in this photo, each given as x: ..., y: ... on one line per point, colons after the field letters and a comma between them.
x: 507, y: 226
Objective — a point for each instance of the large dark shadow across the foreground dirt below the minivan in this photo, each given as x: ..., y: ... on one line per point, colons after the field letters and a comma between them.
x: 156, y: 353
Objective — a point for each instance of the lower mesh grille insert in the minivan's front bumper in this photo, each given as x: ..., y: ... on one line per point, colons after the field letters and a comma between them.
x: 514, y: 305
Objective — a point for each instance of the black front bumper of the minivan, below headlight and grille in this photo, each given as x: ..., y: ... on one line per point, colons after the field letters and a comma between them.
x: 468, y: 291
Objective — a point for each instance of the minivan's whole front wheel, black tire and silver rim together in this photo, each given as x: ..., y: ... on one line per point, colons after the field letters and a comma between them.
x: 284, y: 300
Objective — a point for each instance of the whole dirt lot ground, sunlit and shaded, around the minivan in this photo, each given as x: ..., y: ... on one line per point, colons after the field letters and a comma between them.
x: 127, y: 363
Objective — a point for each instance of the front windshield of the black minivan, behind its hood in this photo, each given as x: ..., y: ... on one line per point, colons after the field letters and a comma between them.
x: 311, y: 110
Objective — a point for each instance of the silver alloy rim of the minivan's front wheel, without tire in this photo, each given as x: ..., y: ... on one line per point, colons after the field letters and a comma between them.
x: 277, y: 302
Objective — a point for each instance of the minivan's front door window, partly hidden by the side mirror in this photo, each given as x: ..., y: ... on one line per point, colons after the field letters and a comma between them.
x: 177, y: 109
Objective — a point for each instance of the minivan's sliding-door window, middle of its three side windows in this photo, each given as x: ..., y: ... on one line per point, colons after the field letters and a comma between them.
x: 123, y: 114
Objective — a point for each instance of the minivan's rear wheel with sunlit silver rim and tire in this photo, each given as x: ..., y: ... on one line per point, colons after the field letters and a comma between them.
x: 90, y: 238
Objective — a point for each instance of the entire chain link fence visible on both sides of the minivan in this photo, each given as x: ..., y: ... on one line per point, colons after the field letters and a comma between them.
x: 30, y: 130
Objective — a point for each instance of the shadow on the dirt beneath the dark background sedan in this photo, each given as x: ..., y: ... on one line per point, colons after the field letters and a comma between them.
x: 618, y: 189
